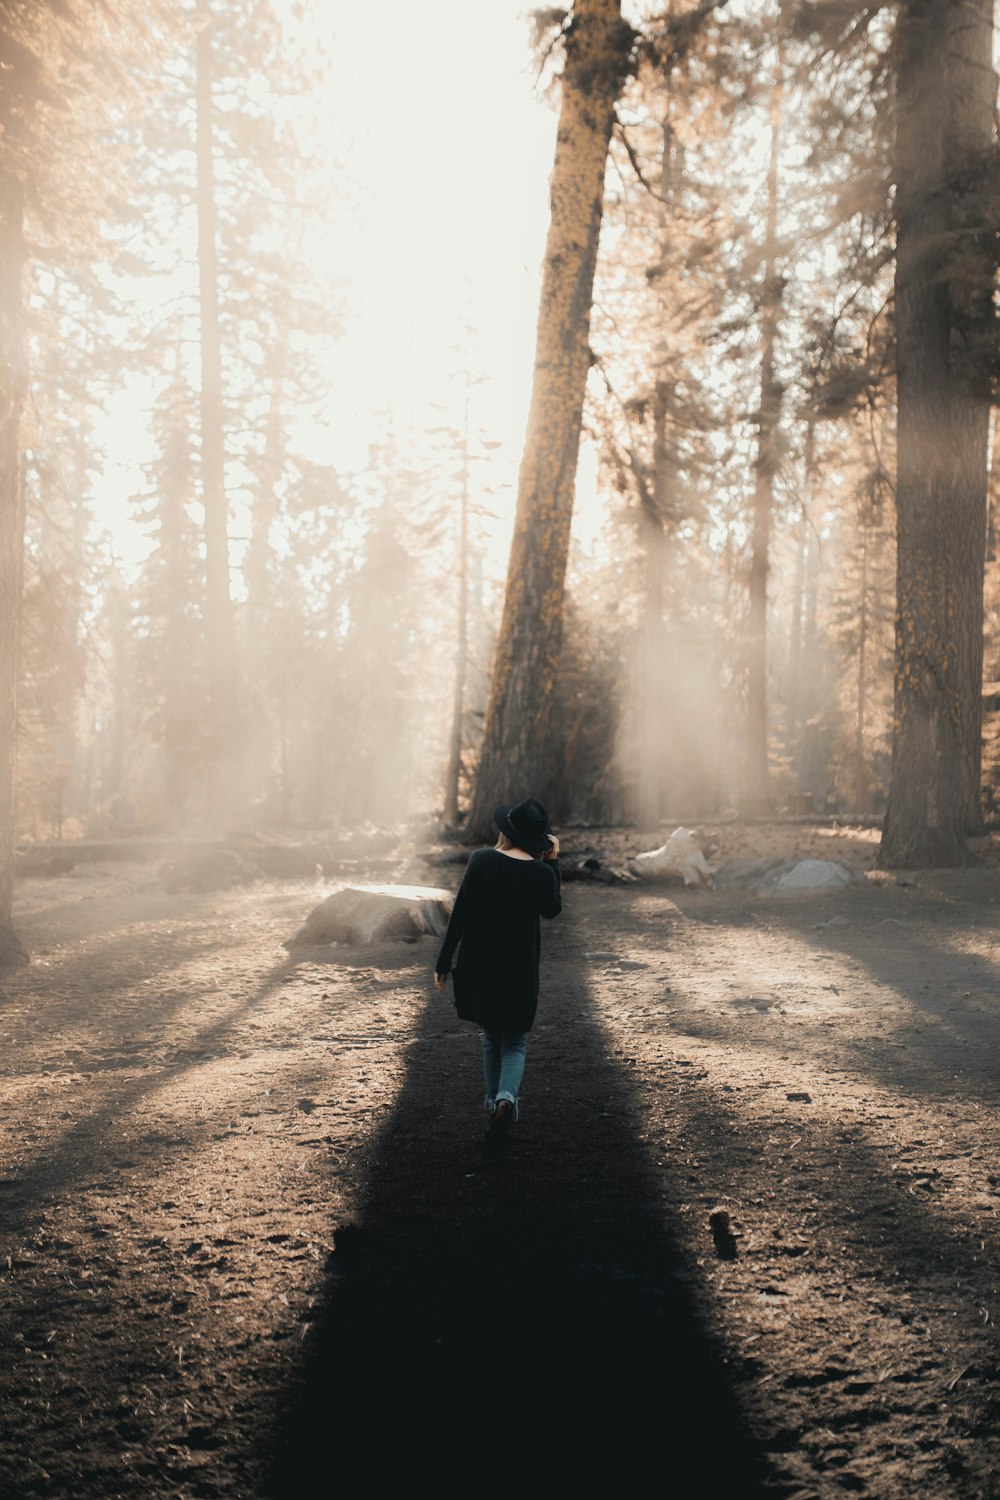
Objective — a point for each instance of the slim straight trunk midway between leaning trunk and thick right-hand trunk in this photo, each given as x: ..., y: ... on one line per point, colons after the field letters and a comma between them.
x: 756, y: 796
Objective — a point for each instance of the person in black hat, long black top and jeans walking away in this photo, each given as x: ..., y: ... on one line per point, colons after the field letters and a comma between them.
x: 496, y: 928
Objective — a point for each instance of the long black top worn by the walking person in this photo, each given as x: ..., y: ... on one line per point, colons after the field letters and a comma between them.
x: 496, y: 920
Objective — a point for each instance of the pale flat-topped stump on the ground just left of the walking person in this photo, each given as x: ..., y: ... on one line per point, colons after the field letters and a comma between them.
x: 362, y: 914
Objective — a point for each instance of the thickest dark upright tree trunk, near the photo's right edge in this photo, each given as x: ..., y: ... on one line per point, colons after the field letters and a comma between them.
x: 942, y: 295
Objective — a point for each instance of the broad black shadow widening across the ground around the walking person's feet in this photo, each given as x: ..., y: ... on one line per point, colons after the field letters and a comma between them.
x: 499, y: 1327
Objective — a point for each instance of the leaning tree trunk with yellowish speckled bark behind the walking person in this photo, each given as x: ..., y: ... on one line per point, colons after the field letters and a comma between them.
x: 518, y: 719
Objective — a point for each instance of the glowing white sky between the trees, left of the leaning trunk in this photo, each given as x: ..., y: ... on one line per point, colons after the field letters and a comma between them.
x: 433, y: 121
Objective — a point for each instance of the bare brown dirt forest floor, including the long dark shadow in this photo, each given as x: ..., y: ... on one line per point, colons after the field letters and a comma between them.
x: 250, y: 1244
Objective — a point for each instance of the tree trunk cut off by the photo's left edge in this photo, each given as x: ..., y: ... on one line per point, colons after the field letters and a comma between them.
x: 13, y: 397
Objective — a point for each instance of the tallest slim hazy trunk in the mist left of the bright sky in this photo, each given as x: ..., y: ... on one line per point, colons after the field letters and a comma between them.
x: 218, y: 602
